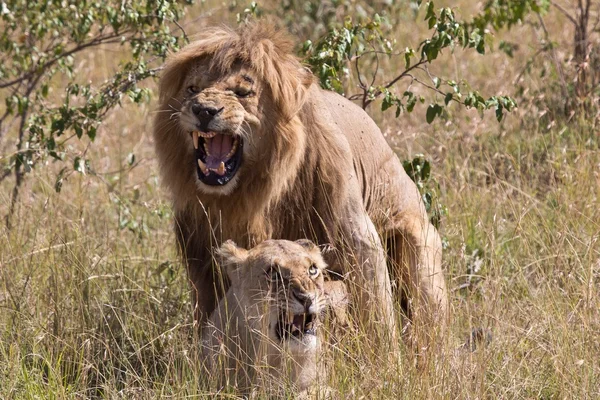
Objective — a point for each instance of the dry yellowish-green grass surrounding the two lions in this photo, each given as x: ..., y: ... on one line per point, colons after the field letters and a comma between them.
x: 94, y: 301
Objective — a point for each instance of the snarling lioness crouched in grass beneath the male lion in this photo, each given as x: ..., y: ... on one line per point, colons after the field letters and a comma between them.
x: 267, y: 324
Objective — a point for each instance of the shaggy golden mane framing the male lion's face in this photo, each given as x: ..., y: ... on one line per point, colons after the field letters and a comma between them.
x: 267, y: 51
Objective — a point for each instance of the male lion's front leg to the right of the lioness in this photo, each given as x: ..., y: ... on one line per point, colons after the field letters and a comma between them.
x: 368, y: 281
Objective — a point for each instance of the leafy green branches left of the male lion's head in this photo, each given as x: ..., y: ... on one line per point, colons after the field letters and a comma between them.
x: 56, y: 32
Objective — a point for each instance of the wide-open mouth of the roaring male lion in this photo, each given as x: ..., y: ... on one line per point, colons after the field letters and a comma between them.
x: 218, y: 156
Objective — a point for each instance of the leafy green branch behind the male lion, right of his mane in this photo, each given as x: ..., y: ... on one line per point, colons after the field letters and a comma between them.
x: 355, y: 42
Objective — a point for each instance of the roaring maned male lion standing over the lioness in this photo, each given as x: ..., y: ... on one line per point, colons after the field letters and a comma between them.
x: 251, y: 148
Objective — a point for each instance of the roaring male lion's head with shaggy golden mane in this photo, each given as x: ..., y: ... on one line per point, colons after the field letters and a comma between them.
x: 223, y: 98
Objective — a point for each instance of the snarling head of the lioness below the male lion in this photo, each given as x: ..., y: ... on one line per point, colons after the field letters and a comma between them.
x: 283, y: 281
